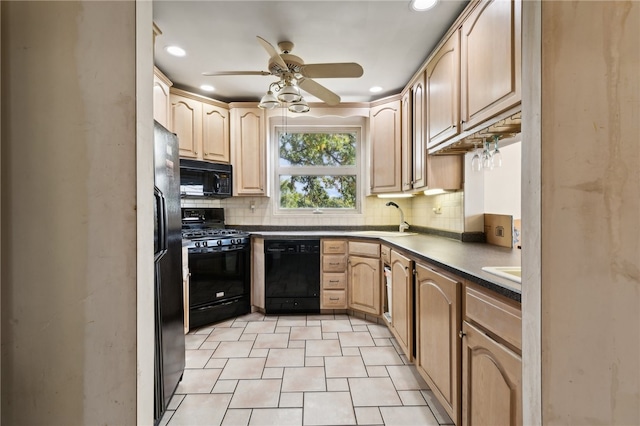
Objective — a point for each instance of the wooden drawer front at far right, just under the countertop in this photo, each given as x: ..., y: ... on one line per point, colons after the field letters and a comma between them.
x: 502, y: 319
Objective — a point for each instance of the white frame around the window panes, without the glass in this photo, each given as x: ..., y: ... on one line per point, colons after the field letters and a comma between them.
x: 278, y: 170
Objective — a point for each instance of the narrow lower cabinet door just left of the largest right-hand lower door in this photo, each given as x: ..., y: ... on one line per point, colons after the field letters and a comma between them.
x: 402, y: 302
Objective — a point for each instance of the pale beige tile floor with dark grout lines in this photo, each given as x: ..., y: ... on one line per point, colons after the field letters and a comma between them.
x: 299, y: 370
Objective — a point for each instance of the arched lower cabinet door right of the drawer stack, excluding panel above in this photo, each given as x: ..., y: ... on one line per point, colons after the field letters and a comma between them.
x: 364, y: 284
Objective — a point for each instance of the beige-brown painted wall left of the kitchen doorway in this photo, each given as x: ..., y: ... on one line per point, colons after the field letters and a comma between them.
x: 69, y: 212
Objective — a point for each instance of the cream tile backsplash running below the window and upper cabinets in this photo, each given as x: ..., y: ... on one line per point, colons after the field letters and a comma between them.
x: 418, y: 211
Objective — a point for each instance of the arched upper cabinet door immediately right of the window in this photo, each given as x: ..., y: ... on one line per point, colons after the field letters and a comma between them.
x: 385, y: 148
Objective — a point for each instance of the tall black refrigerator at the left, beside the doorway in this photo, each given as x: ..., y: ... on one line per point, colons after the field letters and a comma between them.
x: 169, y: 317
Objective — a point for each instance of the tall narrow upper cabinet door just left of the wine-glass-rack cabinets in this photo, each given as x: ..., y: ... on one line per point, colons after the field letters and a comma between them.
x: 419, y: 126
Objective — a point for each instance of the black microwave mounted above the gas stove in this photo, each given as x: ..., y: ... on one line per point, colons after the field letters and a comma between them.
x: 200, y: 179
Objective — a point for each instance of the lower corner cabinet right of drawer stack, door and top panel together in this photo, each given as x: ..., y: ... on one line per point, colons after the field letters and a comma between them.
x: 364, y: 277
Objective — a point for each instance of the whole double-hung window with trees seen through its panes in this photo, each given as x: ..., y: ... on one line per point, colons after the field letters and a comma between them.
x: 317, y: 169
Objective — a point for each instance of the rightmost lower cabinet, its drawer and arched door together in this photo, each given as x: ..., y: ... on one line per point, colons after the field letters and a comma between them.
x: 491, y: 361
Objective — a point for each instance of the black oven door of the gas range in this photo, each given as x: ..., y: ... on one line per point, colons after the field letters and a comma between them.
x: 218, y: 276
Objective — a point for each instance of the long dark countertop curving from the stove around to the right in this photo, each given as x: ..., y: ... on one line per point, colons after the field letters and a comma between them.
x: 464, y: 259
